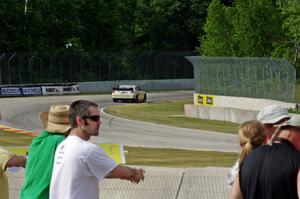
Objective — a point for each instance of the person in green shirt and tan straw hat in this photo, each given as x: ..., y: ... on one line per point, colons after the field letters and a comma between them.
x: 39, y: 164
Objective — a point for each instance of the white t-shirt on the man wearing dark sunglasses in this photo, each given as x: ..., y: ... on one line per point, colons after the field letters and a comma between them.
x: 78, y: 167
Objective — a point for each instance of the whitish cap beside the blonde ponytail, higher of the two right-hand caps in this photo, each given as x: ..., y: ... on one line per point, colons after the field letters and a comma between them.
x: 272, y: 114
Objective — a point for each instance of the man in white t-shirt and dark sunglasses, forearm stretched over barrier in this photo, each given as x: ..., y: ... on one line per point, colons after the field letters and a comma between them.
x: 78, y: 164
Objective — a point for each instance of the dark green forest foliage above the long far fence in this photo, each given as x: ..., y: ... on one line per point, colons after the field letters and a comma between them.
x: 101, y: 25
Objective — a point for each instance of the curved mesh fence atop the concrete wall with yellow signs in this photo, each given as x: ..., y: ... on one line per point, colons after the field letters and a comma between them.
x: 246, y: 77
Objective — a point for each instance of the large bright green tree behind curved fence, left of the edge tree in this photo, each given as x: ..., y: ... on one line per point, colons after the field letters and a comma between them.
x: 247, y: 28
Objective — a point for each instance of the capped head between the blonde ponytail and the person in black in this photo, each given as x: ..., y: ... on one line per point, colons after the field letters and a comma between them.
x: 272, y: 116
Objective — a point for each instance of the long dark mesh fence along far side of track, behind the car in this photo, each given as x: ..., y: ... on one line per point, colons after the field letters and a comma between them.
x: 61, y: 67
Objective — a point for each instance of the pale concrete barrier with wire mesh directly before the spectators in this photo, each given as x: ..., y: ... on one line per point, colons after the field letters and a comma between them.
x: 193, y: 183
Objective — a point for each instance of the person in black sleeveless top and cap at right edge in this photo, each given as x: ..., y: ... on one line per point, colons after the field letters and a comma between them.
x: 272, y: 171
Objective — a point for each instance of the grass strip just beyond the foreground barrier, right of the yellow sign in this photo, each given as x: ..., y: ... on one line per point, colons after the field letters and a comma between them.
x: 178, y: 158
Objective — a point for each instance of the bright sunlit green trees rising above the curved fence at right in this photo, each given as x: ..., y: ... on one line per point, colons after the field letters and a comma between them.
x: 253, y: 28
